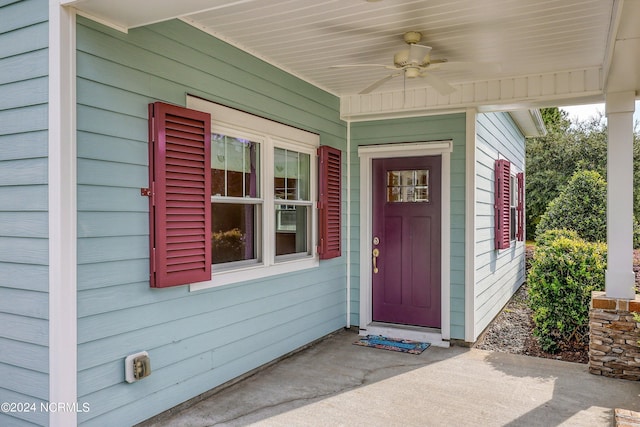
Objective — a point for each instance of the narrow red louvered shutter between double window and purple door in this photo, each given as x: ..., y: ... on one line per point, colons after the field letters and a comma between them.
x: 329, y: 206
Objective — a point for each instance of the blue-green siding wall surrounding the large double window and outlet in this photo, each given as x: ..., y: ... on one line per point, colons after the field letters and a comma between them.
x: 196, y: 340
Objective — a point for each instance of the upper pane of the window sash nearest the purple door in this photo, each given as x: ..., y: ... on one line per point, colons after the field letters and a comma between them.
x: 291, y: 175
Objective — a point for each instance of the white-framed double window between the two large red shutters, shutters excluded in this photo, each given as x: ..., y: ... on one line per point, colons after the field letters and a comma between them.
x: 263, y: 184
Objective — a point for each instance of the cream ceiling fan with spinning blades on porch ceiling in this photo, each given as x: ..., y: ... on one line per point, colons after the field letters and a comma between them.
x: 414, y: 62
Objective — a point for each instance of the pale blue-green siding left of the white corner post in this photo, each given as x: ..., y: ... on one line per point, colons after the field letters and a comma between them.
x: 24, y: 298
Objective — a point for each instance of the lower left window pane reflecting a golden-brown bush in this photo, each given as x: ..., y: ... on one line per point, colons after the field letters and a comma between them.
x: 235, y: 234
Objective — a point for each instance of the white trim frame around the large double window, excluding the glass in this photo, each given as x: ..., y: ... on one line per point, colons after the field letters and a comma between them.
x: 269, y: 134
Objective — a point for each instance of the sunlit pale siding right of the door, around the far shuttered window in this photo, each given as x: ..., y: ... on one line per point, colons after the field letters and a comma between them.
x: 499, y: 273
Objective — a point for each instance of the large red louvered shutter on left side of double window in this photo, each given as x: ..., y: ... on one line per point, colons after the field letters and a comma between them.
x: 180, y: 202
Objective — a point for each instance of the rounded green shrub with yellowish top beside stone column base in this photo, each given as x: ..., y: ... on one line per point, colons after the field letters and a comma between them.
x: 563, y: 275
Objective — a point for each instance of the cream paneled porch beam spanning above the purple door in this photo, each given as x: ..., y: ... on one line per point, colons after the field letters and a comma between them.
x: 532, y: 91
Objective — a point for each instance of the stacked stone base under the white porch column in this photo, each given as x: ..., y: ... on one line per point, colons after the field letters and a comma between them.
x: 613, y: 337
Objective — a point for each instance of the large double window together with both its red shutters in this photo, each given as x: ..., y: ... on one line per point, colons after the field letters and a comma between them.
x: 235, y: 195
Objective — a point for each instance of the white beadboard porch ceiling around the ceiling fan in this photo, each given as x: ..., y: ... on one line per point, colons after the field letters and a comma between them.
x: 306, y: 37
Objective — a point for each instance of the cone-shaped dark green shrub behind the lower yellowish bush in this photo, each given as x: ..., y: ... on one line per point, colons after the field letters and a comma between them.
x: 580, y: 206
